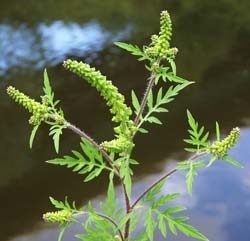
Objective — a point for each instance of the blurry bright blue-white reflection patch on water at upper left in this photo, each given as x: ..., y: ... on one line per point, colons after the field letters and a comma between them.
x: 22, y: 47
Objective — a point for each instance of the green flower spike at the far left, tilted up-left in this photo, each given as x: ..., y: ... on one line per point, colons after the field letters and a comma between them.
x: 40, y: 111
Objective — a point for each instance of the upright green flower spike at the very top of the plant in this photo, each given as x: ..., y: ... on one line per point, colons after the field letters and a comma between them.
x: 159, y: 47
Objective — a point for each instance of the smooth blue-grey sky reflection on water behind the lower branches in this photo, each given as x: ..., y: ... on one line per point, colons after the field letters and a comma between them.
x: 218, y: 207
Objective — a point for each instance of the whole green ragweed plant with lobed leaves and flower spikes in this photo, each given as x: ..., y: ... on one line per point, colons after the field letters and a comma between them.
x: 110, y: 221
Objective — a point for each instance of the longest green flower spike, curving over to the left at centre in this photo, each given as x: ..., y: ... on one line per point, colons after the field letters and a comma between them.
x: 114, y: 100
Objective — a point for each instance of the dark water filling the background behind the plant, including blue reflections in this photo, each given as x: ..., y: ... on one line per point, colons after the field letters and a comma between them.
x: 213, y: 38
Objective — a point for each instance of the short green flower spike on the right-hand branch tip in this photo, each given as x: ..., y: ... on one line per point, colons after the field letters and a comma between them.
x: 220, y: 148
